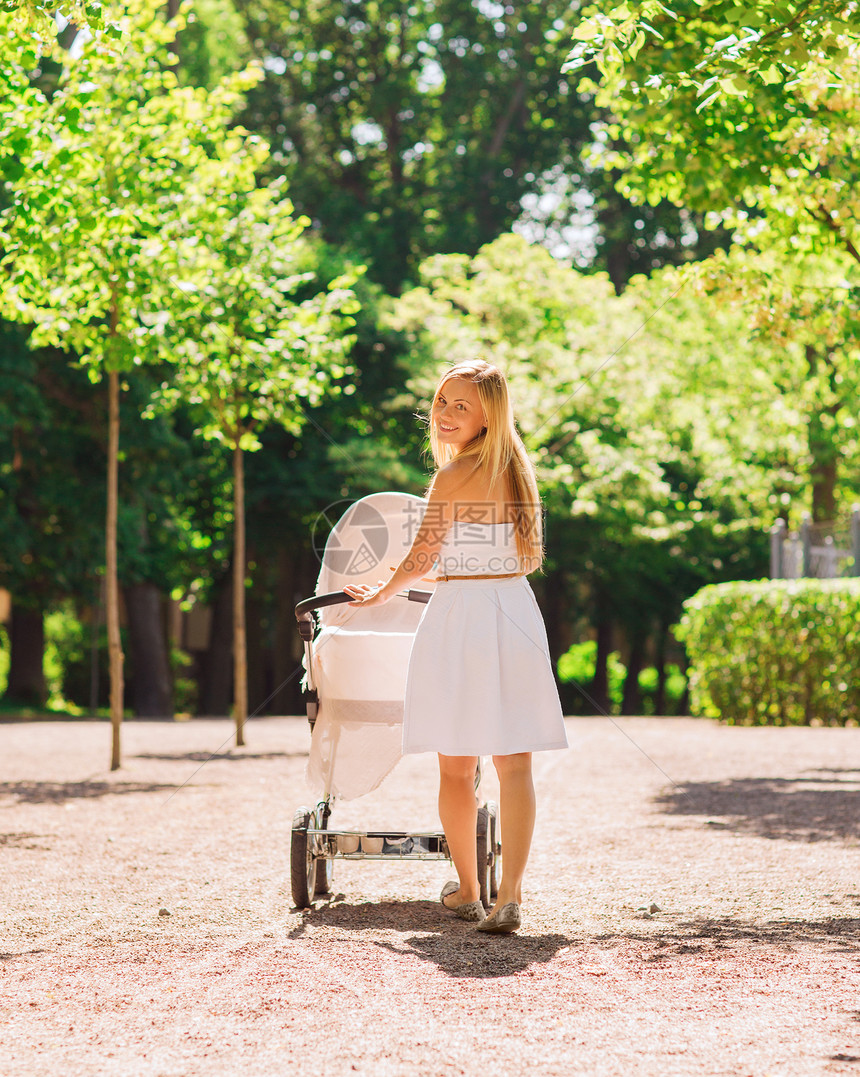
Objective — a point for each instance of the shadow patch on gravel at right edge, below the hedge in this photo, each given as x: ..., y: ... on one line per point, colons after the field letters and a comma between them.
x: 822, y: 806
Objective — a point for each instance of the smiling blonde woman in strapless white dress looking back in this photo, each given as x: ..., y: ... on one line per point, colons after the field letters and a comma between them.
x: 481, y: 680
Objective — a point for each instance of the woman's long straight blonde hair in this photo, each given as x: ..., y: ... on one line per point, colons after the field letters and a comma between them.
x: 499, y: 451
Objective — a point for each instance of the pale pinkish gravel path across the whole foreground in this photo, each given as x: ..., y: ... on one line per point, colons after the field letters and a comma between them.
x: 746, y: 841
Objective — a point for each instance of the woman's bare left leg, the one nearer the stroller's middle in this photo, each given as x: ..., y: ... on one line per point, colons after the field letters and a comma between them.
x: 459, y: 814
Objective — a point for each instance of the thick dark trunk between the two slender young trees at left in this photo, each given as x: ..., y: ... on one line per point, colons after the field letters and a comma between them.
x: 152, y: 684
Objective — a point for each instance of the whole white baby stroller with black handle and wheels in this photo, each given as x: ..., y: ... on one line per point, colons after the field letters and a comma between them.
x: 356, y: 662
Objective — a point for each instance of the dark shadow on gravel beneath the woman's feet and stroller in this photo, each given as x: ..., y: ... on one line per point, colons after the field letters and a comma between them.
x: 431, y: 934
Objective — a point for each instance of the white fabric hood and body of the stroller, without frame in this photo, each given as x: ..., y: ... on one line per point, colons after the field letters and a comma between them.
x: 361, y: 656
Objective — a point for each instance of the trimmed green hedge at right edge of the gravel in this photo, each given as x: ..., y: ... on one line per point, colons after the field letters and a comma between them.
x: 776, y: 652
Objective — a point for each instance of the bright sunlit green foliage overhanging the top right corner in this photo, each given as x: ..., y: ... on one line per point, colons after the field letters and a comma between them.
x: 748, y: 113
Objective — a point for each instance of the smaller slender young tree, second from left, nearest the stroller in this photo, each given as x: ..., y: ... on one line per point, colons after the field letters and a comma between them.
x: 252, y: 352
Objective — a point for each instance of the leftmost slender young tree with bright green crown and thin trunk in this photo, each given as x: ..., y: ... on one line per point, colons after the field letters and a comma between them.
x: 104, y: 171
